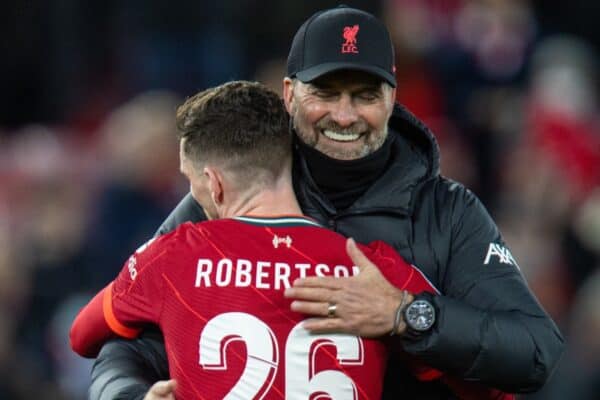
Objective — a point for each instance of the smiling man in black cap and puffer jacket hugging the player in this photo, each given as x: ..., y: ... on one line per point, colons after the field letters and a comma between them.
x: 369, y: 169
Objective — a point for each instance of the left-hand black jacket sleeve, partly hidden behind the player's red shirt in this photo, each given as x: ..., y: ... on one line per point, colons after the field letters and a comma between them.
x: 126, y: 369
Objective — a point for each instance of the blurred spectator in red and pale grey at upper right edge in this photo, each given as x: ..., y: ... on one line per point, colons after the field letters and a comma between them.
x: 563, y: 111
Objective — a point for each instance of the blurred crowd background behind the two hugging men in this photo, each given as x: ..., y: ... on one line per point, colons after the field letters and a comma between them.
x: 88, y: 155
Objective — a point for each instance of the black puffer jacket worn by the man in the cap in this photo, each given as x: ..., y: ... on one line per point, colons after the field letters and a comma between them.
x: 490, y: 328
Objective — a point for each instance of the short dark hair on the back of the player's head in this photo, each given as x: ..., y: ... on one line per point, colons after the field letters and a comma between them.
x: 242, y: 125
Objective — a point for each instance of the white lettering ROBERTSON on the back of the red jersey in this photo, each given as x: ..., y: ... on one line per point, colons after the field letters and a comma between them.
x: 261, y: 274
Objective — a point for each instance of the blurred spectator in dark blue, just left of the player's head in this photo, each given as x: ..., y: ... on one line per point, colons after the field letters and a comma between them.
x: 138, y: 181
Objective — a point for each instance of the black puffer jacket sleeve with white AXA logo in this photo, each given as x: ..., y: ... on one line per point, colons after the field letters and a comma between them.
x: 490, y: 328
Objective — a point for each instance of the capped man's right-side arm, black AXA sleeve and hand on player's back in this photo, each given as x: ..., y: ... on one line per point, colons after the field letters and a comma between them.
x: 489, y: 329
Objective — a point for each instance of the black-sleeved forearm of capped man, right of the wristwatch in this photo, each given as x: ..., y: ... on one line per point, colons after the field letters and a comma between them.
x: 473, y: 343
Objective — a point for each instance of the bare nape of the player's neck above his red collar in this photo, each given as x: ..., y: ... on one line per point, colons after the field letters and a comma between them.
x: 276, y: 200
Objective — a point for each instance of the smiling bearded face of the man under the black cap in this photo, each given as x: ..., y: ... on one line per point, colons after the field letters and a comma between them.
x: 343, y: 114
